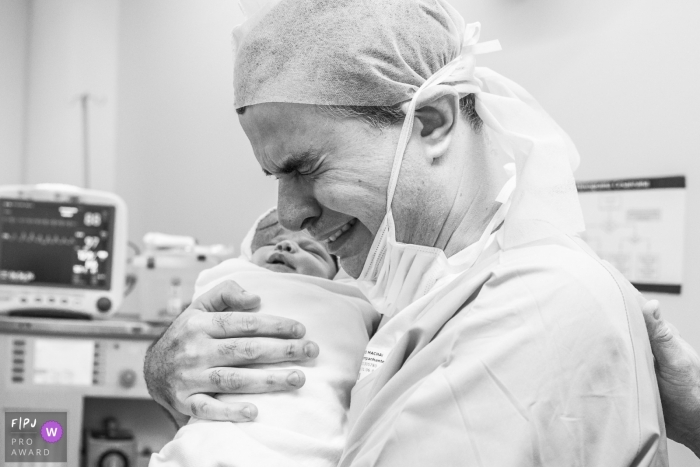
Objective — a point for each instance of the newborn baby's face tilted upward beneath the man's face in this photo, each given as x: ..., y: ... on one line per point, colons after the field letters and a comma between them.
x: 298, y: 253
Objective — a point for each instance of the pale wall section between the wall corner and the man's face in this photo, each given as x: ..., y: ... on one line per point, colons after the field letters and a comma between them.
x: 184, y: 165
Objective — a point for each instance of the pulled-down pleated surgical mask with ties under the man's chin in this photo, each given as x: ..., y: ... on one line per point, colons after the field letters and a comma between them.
x: 396, y: 274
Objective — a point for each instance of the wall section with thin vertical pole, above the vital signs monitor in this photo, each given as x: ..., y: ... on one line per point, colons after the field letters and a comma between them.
x: 73, y: 47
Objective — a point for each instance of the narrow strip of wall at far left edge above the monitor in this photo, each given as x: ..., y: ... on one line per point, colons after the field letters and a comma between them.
x: 14, y: 21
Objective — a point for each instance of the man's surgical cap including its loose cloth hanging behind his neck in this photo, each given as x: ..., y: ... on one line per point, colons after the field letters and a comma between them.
x: 383, y: 52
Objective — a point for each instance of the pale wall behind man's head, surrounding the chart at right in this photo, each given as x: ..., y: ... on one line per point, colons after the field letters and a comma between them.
x: 622, y: 78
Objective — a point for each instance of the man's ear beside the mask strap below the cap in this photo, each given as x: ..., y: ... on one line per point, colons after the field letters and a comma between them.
x: 437, y: 112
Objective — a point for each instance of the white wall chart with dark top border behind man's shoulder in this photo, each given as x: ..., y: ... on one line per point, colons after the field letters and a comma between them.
x: 638, y: 225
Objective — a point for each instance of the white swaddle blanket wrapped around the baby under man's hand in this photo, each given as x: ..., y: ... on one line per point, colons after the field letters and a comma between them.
x: 306, y: 427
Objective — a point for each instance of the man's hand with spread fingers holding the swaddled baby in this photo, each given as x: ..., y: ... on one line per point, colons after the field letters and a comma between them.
x: 203, y: 350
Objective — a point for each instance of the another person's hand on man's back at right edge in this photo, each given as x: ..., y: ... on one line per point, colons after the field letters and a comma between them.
x: 678, y: 372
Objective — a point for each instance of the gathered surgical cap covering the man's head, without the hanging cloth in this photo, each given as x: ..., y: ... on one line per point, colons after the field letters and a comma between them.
x: 342, y: 52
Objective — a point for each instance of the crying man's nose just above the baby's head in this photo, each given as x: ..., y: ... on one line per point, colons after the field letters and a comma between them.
x: 296, y: 205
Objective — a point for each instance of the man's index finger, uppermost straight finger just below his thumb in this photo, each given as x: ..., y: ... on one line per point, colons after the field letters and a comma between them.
x: 237, y: 324
